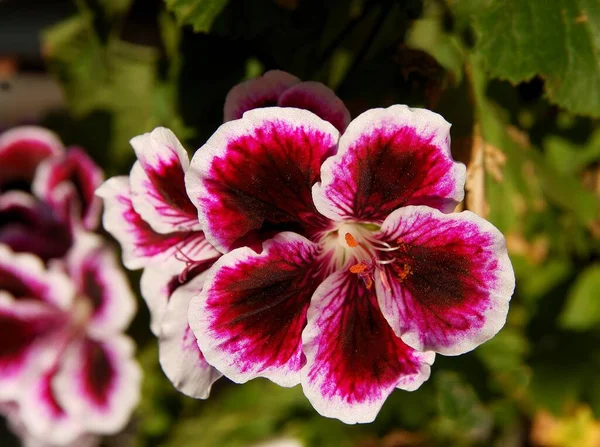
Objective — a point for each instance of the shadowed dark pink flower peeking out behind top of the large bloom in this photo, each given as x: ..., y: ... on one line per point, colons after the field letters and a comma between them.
x: 278, y: 88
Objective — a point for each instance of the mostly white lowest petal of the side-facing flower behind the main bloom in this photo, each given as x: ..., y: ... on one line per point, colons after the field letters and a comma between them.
x: 180, y: 358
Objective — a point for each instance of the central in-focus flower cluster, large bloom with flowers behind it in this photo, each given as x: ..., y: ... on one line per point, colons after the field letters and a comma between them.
x: 307, y: 249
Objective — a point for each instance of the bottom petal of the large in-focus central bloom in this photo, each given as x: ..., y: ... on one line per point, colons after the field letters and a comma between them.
x: 354, y: 359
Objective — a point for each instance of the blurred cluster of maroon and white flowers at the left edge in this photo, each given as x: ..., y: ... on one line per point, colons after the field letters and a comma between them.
x: 67, y: 373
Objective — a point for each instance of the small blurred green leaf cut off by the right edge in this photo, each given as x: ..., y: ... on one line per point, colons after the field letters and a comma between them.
x: 582, y: 310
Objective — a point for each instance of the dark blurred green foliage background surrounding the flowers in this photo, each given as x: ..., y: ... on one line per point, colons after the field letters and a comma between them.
x: 519, y: 80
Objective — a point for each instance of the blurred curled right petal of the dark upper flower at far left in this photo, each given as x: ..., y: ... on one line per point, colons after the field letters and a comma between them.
x: 68, y: 183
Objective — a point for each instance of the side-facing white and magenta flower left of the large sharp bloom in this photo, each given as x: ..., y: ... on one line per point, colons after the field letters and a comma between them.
x: 151, y: 216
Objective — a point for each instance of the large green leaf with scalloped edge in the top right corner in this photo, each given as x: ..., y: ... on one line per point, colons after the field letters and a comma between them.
x: 556, y: 39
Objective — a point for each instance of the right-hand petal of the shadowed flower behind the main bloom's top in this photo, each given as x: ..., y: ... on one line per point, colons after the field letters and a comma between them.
x: 319, y: 99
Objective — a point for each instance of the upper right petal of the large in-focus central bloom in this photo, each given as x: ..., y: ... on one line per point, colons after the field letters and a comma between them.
x: 389, y: 158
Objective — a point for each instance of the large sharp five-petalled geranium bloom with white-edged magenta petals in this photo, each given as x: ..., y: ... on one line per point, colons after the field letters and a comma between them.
x: 361, y: 276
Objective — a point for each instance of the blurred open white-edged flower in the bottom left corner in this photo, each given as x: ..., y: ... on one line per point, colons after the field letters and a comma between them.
x: 64, y: 362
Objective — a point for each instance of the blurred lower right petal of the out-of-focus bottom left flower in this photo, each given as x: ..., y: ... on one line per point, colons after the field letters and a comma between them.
x: 100, y: 382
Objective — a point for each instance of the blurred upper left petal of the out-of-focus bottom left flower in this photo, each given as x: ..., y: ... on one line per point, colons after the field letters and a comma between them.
x: 23, y: 276
